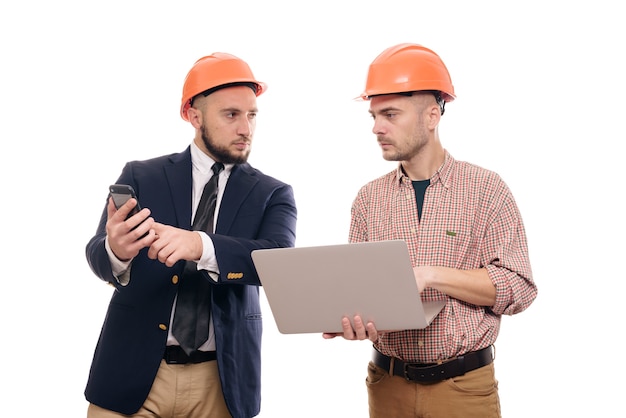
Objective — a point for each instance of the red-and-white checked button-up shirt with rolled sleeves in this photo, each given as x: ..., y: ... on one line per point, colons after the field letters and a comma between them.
x: 470, y: 220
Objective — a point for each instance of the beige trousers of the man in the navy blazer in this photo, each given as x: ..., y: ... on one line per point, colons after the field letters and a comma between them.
x: 179, y: 390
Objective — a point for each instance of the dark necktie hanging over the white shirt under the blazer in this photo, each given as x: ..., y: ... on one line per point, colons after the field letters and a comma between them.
x: 191, y: 318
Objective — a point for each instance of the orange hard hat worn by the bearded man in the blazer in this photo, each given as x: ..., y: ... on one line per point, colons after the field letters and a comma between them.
x: 213, y: 71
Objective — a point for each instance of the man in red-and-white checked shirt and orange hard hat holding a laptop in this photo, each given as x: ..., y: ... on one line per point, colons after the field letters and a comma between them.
x: 467, y: 244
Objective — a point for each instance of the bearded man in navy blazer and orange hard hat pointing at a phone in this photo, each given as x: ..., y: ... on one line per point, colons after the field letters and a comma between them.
x: 138, y: 369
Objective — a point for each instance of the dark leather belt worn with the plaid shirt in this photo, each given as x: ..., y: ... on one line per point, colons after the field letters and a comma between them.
x: 416, y: 372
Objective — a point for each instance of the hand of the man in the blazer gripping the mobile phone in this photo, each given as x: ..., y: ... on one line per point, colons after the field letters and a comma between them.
x: 126, y: 236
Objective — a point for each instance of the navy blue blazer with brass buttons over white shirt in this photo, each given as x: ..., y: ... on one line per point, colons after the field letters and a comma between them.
x: 257, y: 211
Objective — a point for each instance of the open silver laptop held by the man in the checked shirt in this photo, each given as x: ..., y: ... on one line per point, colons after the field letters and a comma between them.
x: 309, y: 289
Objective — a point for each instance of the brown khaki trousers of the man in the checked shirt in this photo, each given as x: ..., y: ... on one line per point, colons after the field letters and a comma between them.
x: 473, y: 395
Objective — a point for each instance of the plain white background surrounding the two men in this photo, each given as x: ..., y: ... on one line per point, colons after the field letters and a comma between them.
x: 86, y: 86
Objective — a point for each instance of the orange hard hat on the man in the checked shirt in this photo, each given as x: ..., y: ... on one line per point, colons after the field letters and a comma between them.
x: 405, y: 68
